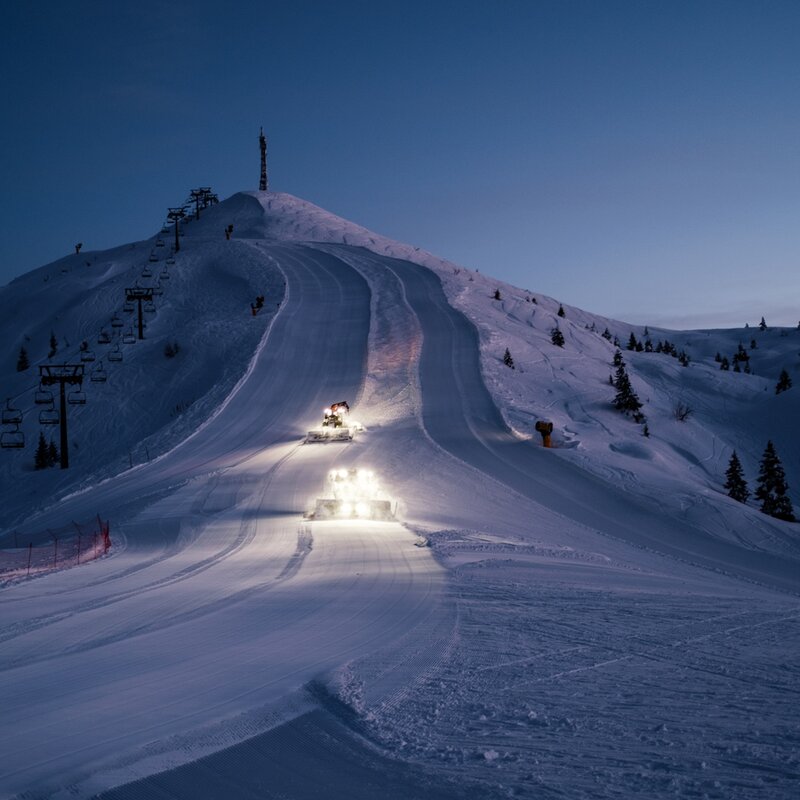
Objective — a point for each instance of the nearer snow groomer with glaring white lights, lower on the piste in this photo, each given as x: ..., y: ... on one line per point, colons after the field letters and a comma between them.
x: 353, y: 494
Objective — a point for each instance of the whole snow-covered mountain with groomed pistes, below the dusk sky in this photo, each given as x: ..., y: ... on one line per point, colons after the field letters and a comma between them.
x: 540, y: 645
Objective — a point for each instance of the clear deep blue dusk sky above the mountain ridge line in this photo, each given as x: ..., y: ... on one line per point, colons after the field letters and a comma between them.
x: 637, y: 159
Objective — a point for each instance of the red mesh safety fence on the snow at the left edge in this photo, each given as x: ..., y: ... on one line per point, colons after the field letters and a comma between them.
x: 22, y: 555
